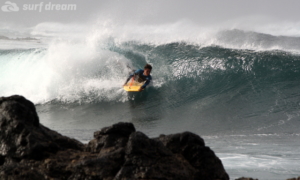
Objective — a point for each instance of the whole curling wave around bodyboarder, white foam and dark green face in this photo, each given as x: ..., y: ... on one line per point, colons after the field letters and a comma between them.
x: 254, y: 85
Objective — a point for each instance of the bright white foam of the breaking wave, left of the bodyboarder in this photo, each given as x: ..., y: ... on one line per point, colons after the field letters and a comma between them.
x: 66, y: 71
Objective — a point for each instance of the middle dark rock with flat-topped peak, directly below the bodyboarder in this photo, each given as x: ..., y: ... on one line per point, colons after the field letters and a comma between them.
x: 109, y: 149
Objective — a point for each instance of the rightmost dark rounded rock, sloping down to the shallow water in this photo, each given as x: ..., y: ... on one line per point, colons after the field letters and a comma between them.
x: 192, y: 148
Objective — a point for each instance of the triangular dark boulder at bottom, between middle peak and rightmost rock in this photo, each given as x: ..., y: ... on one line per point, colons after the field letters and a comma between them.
x: 149, y: 159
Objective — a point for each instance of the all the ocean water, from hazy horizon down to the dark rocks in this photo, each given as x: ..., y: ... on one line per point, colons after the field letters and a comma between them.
x: 239, y: 90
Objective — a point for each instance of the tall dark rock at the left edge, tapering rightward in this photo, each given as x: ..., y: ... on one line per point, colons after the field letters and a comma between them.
x: 22, y: 136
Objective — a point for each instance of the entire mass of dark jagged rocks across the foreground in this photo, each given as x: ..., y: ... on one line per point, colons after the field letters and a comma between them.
x: 28, y: 150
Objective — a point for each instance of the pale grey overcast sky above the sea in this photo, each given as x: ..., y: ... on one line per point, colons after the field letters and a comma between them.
x: 154, y: 11
